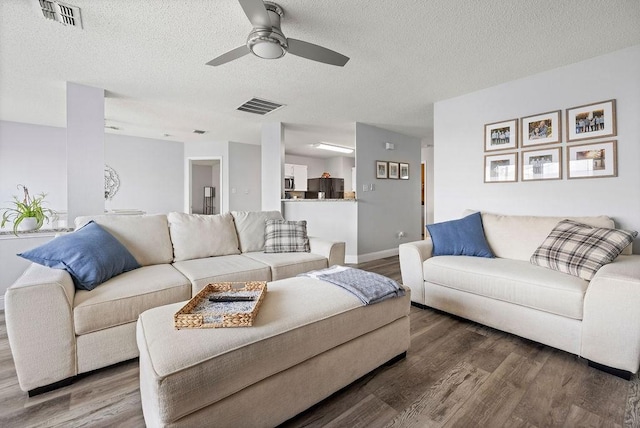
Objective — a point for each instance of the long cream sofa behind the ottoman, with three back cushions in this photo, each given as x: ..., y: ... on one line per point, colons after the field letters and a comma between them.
x: 57, y: 331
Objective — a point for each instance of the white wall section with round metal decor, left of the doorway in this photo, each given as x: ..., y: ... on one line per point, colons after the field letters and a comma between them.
x: 151, y: 173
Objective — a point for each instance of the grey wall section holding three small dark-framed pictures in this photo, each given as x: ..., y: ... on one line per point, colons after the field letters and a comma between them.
x: 394, y: 206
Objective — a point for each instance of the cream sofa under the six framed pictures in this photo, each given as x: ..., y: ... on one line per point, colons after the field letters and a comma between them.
x: 598, y: 319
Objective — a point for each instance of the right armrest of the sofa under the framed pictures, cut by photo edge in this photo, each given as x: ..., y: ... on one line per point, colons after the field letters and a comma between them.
x: 611, y: 318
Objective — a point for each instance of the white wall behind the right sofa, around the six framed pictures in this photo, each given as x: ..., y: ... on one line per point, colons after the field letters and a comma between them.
x: 458, y: 151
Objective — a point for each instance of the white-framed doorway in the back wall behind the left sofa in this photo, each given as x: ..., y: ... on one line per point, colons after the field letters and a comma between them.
x: 203, y: 190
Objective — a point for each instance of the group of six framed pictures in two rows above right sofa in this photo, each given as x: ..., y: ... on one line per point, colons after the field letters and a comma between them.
x: 531, y: 148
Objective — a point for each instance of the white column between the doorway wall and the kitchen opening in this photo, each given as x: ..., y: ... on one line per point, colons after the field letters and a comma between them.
x: 272, y: 166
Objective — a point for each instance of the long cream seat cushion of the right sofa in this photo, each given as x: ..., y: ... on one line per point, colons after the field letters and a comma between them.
x: 514, y: 281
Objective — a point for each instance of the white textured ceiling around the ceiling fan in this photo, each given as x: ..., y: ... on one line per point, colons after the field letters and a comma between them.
x: 150, y: 55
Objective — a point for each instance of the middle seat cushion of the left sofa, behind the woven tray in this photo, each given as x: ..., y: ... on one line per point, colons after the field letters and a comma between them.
x: 222, y: 269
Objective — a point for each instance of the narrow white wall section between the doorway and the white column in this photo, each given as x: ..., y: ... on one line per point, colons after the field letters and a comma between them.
x: 245, y: 177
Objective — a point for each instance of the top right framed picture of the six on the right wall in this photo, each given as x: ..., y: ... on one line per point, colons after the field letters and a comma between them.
x: 591, y: 121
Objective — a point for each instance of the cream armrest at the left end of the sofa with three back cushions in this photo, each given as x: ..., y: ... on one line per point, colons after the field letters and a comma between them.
x: 39, y: 318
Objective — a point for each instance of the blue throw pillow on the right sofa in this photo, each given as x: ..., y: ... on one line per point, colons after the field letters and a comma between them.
x: 464, y: 237
